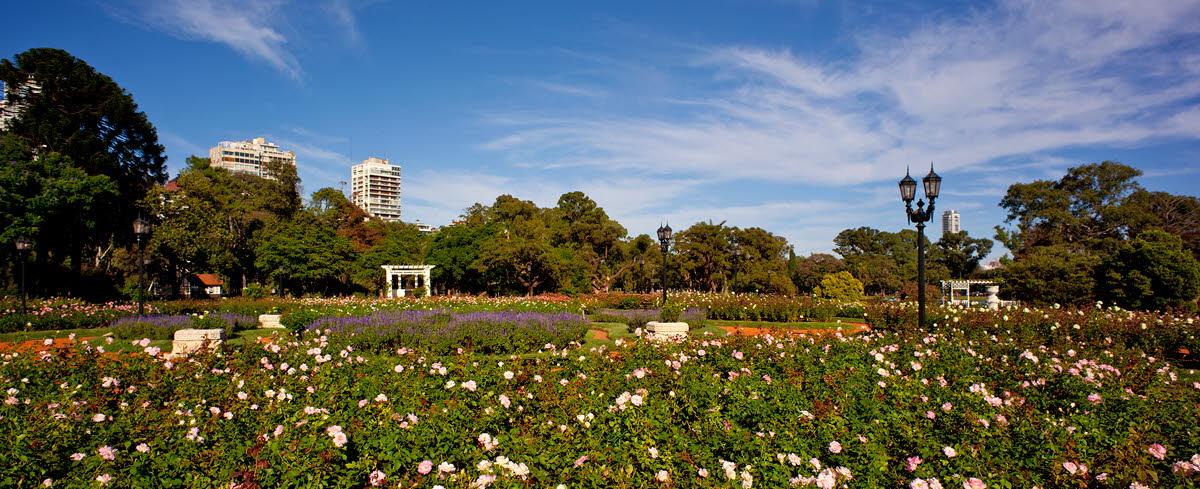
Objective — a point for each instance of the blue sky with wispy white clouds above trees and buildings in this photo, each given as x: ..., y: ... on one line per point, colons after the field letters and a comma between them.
x: 796, y: 117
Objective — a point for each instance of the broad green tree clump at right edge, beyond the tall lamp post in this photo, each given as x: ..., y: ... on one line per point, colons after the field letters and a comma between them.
x: 1096, y: 234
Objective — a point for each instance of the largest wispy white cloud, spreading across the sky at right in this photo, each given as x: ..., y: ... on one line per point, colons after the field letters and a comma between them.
x: 1017, y: 80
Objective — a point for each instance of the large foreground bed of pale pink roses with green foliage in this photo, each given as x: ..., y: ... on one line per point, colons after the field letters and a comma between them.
x: 968, y: 407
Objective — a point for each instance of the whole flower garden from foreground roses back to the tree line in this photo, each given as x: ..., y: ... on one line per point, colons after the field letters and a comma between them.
x: 524, y: 393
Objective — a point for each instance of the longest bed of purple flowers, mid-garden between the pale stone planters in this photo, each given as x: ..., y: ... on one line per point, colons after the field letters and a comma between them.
x: 442, y: 333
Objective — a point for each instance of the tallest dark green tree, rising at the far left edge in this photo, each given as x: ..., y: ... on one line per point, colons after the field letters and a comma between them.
x: 67, y: 108
